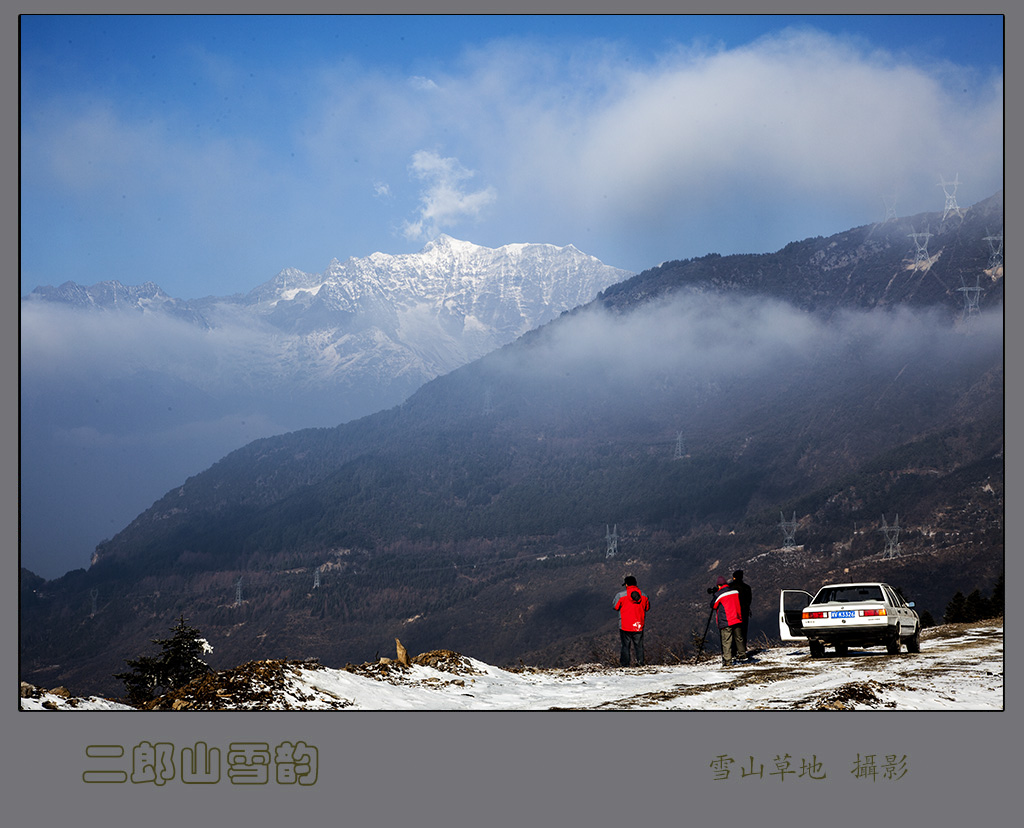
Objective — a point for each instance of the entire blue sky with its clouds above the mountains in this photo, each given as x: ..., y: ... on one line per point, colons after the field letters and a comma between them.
x: 206, y: 154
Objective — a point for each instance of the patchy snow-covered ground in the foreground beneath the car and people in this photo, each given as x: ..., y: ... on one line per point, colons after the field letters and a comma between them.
x: 960, y: 668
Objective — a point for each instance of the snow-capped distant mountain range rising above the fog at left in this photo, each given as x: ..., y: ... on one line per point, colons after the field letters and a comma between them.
x: 378, y: 323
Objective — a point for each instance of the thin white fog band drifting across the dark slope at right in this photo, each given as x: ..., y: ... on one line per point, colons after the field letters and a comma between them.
x: 704, y: 339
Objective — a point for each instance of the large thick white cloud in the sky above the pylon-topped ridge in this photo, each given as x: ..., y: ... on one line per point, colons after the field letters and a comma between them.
x: 798, y: 117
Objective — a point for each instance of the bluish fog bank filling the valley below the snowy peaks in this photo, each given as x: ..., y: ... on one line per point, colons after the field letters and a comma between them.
x: 118, y: 409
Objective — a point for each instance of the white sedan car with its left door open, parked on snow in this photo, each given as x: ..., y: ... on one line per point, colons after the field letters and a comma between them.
x: 844, y: 616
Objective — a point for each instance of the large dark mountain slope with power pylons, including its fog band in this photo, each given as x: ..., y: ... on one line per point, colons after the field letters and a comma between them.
x: 665, y: 429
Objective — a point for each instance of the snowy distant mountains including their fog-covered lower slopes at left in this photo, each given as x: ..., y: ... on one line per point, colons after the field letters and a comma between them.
x: 126, y: 390
